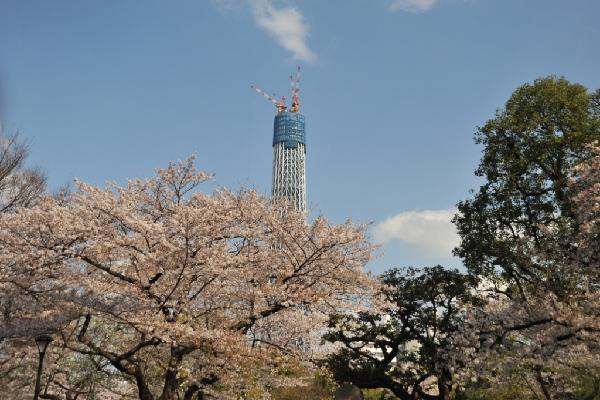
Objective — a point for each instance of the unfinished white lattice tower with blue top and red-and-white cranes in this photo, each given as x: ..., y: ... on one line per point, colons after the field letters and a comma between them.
x: 289, y: 151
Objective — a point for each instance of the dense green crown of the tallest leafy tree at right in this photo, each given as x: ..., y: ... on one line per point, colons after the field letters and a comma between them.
x: 529, y: 150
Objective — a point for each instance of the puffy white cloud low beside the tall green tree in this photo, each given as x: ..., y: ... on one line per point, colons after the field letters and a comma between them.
x: 430, y: 232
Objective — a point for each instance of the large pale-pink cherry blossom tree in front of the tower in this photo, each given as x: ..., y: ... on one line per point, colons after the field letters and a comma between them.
x: 161, y: 291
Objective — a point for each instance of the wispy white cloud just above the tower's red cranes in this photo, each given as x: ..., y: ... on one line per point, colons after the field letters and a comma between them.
x: 286, y: 26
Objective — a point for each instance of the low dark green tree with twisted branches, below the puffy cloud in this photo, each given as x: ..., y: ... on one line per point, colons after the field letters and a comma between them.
x: 412, y: 343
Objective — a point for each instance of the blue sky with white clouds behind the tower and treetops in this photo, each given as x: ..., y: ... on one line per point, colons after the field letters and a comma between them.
x: 392, y: 91
